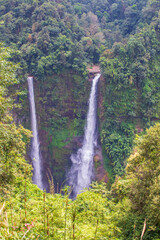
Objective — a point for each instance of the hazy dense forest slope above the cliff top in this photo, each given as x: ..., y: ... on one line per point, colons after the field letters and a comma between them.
x: 69, y: 34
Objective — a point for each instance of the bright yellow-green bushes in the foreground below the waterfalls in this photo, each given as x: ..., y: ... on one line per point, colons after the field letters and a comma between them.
x: 31, y: 213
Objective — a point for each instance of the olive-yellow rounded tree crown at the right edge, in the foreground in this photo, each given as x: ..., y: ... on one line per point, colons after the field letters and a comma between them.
x: 143, y: 167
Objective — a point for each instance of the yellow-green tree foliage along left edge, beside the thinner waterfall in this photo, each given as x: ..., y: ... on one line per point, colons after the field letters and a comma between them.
x: 12, y: 146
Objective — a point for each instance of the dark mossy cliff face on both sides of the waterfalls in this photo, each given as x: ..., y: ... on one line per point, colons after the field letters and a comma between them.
x: 61, y: 106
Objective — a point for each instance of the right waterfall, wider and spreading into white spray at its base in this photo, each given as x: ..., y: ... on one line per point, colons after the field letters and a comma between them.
x: 80, y: 175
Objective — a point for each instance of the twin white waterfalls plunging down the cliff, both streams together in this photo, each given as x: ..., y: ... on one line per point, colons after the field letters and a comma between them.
x: 81, y: 172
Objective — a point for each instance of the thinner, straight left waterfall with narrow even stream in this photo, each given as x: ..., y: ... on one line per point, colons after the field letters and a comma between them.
x: 35, y: 152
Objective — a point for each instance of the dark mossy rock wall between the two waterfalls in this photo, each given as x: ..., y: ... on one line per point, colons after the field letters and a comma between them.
x: 61, y: 106
